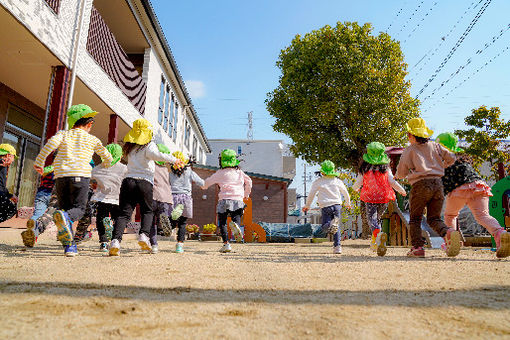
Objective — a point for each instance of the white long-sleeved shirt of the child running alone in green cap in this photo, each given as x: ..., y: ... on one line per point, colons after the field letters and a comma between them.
x: 329, y: 192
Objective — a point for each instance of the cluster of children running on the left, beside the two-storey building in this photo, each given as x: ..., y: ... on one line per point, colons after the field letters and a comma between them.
x: 153, y: 177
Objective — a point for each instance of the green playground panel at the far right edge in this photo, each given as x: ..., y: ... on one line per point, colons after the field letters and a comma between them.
x: 499, y: 207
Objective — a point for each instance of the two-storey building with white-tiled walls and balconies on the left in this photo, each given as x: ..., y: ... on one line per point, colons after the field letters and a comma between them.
x: 109, y: 54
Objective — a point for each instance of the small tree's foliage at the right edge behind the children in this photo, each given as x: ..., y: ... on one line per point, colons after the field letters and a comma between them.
x: 484, y: 137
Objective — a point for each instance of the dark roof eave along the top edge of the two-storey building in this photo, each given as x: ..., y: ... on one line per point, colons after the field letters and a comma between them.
x: 155, y: 23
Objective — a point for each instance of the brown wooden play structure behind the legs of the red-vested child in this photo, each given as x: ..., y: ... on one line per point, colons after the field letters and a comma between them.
x: 396, y: 226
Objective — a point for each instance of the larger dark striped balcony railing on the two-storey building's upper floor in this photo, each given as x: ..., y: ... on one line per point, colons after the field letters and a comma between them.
x: 107, y: 52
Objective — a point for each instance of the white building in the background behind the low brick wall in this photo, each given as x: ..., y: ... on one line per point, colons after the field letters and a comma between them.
x: 267, y: 157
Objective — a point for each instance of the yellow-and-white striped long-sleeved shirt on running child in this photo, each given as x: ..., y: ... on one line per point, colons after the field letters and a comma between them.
x: 75, y: 150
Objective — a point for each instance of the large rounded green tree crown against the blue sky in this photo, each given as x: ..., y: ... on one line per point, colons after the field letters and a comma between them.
x: 340, y: 89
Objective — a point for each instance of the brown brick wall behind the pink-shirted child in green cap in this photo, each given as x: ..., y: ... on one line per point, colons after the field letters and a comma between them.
x: 271, y: 210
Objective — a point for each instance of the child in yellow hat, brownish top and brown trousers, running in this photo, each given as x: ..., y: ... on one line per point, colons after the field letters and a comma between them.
x: 423, y: 164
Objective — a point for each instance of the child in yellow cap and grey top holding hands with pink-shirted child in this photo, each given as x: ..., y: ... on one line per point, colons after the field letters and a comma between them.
x: 181, y: 178
